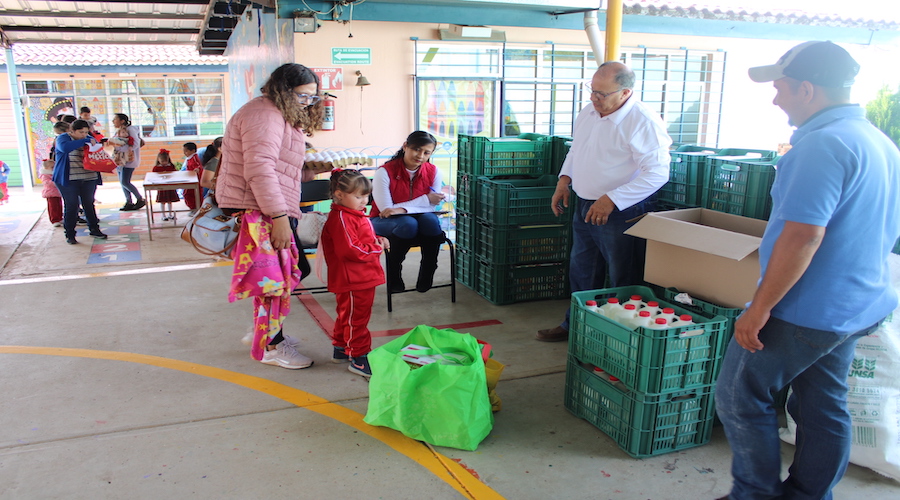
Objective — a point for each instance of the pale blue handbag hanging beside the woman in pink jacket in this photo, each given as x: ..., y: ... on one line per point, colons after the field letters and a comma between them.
x: 211, y: 231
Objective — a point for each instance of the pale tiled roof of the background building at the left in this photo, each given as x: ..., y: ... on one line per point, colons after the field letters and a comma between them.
x: 39, y: 54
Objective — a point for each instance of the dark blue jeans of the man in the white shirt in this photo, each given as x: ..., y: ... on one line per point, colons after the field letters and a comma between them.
x: 596, y: 248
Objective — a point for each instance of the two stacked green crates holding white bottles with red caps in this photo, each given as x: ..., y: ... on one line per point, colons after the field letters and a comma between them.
x: 664, y: 399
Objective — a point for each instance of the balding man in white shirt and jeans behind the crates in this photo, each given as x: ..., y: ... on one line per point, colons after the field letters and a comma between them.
x: 618, y: 160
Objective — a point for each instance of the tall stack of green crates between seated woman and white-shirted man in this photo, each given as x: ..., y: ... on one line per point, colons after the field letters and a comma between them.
x: 510, y: 246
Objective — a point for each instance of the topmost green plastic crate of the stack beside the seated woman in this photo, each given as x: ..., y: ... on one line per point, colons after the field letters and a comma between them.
x: 503, y: 156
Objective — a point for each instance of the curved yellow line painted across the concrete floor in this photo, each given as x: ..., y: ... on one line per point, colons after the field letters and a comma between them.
x: 457, y: 477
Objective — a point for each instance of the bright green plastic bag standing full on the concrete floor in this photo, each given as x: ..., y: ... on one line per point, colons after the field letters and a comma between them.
x: 444, y: 405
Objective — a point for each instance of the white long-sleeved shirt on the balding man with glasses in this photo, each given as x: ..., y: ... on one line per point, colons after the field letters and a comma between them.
x: 624, y: 155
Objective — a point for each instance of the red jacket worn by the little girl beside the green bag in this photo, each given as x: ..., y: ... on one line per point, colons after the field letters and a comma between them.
x: 351, y: 251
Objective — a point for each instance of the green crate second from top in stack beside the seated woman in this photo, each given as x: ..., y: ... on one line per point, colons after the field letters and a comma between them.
x: 524, y: 202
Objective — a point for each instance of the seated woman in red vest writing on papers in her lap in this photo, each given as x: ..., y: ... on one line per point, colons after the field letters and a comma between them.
x: 405, y: 190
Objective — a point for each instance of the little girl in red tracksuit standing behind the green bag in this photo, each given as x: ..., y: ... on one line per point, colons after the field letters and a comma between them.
x: 352, y: 253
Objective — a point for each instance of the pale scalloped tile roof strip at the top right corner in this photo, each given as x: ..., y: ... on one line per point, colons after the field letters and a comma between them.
x: 869, y: 14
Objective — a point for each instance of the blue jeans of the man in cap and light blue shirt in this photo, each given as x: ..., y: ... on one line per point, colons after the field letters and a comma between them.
x: 815, y: 363
